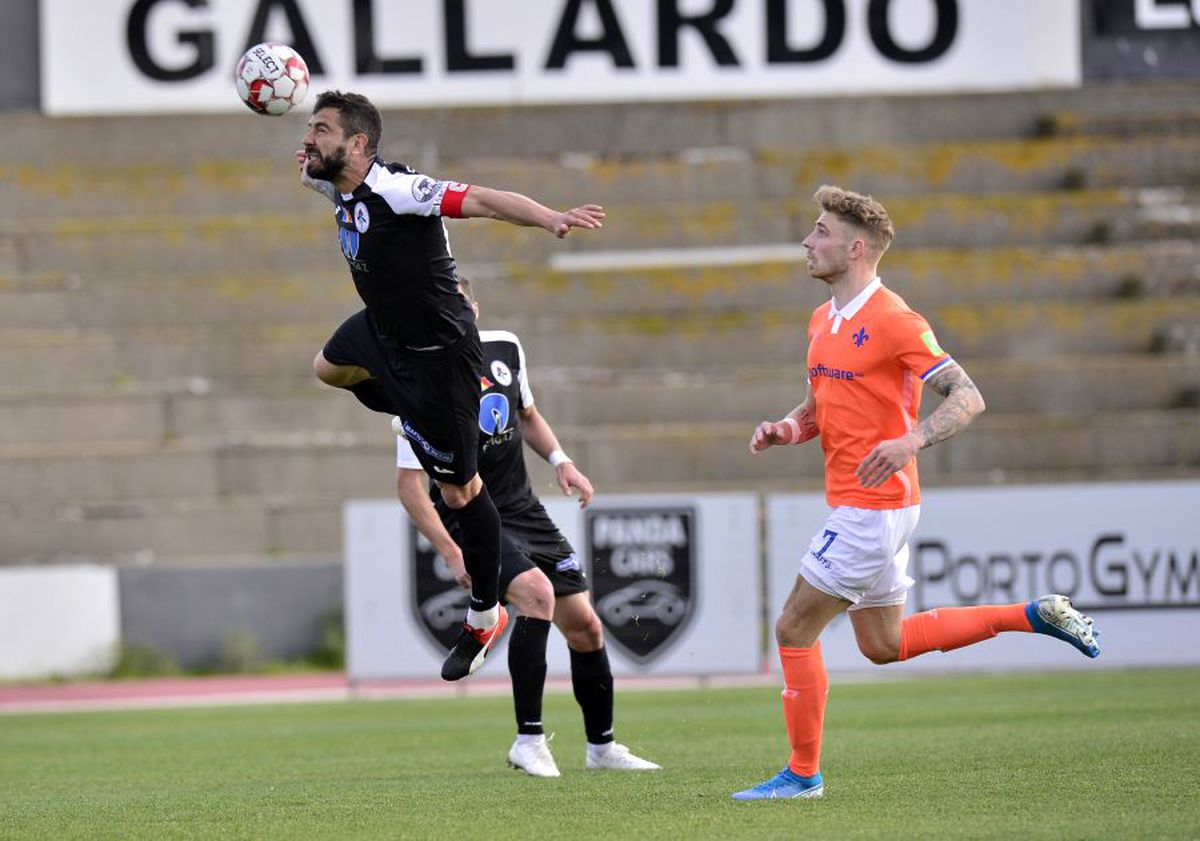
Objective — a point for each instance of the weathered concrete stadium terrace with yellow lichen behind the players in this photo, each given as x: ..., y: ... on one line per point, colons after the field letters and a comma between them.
x: 165, y: 285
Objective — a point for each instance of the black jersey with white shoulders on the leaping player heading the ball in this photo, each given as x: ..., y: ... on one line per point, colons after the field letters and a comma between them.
x: 392, y: 233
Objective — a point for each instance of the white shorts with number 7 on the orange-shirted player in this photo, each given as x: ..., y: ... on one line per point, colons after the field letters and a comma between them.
x: 862, y: 556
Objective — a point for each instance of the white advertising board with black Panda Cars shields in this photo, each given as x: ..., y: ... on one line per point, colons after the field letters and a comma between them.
x: 676, y: 581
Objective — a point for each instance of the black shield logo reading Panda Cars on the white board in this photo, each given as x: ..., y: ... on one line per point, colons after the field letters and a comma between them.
x: 643, y: 575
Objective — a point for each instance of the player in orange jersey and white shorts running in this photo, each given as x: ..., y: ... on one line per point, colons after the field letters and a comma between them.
x: 869, y: 356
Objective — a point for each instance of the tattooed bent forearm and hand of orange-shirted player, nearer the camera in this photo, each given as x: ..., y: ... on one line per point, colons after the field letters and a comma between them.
x: 962, y: 404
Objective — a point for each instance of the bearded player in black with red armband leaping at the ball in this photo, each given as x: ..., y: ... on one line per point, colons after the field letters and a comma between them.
x: 415, y: 351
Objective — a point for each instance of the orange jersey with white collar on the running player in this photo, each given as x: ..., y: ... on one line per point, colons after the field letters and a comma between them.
x: 867, y: 365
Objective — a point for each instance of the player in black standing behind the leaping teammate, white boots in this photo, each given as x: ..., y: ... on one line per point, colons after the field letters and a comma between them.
x: 541, y: 573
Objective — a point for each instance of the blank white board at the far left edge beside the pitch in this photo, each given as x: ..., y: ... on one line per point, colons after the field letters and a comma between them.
x: 58, y: 621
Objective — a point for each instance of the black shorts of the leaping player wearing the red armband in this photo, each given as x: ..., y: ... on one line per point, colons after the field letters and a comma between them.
x: 436, y: 395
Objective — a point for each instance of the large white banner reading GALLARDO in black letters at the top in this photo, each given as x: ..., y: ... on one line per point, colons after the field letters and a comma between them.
x: 178, y: 56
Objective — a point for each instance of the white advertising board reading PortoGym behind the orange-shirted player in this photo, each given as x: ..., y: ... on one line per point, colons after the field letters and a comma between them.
x: 1129, y: 555
